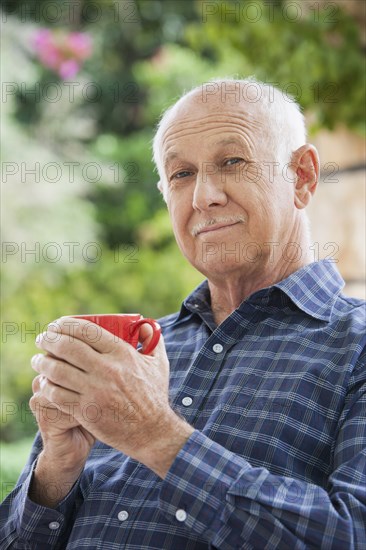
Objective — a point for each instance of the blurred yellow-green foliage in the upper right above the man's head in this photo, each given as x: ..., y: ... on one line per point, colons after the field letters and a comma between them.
x: 310, y: 50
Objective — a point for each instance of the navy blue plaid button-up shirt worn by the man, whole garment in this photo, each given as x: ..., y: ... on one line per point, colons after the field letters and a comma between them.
x: 277, y: 397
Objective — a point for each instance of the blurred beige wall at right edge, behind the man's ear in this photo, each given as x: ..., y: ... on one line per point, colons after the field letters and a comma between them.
x: 337, y: 211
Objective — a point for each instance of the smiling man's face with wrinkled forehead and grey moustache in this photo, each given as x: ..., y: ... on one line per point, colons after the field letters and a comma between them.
x: 230, y: 206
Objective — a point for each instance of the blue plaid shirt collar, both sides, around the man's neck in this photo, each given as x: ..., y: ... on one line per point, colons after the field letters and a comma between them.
x: 313, y: 288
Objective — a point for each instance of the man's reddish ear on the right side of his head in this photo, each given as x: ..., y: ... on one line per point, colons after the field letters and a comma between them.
x: 305, y: 164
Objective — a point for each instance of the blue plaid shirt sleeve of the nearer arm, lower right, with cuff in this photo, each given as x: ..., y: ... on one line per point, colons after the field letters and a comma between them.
x: 221, y: 497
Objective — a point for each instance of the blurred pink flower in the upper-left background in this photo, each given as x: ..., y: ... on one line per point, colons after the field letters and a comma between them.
x: 62, y: 52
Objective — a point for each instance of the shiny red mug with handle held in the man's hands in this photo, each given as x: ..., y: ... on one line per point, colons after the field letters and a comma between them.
x: 125, y: 326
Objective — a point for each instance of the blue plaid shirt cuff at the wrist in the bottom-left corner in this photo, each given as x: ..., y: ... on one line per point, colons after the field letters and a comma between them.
x: 42, y: 527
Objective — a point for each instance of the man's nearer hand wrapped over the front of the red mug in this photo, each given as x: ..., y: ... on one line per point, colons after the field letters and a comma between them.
x: 115, y: 393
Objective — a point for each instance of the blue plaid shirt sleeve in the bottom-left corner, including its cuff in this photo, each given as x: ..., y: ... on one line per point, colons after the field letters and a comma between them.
x: 25, y: 525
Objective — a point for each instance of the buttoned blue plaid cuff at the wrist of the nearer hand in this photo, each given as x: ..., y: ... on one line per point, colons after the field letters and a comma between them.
x: 194, y: 491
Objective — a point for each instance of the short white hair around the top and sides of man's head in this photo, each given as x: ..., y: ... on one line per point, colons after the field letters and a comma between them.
x: 286, y: 125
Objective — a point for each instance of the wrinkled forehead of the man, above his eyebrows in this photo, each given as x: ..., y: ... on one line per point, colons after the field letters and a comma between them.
x: 218, y: 122
